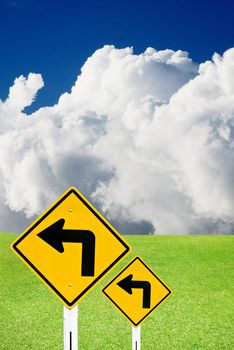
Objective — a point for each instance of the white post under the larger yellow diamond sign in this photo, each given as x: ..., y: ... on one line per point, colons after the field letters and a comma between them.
x: 70, y: 328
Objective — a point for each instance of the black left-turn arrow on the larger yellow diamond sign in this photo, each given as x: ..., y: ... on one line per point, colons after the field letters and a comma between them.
x: 55, y: 236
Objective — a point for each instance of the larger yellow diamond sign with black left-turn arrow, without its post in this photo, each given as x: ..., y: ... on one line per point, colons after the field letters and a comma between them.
x: 70, y: 247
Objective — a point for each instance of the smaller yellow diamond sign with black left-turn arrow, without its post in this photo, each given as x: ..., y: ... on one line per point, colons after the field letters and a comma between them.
x: 136, y: 291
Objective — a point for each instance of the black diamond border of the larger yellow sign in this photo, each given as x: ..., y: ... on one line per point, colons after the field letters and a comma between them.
x: 127, y: 248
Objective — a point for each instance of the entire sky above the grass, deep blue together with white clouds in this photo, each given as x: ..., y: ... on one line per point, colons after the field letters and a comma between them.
x: 151, y: 115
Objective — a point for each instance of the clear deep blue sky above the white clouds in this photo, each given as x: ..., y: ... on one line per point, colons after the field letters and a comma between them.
x: 55, y: 38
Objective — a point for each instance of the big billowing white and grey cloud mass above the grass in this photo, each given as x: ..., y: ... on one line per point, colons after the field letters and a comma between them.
x: 148, y: 138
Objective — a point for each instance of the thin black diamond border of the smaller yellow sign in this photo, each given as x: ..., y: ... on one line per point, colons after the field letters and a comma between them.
x: 103, y: 290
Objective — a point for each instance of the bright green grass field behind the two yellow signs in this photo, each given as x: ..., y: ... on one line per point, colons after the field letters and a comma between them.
x: 199, y: 314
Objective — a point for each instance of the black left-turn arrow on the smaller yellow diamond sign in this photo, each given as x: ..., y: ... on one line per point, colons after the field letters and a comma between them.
x: 127, y: 284
